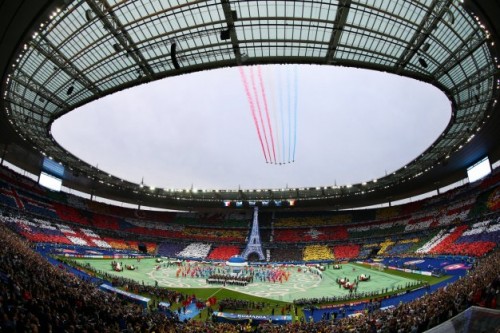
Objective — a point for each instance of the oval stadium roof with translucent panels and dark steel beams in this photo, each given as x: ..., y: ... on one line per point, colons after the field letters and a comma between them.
x: 59, y: 55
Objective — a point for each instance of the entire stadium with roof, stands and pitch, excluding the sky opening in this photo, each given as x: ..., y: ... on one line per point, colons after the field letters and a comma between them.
x: 308, y: 259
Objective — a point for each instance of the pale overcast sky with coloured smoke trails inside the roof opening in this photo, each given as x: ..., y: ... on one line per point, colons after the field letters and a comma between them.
x: 335, y: 125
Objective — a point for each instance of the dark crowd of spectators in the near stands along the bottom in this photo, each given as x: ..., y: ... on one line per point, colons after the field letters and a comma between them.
x: 38, y: 297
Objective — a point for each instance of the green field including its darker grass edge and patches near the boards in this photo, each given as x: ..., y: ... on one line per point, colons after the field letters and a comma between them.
x: 273, y: 295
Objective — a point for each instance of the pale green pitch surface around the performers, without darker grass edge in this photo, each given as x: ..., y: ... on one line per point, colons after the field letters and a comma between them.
x: 300, y: 284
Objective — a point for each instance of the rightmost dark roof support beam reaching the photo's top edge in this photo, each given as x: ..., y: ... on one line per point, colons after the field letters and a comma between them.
x: 436, y: 11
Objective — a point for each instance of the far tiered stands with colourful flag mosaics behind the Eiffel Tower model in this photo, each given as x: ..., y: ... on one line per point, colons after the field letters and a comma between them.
x: 390, y: 230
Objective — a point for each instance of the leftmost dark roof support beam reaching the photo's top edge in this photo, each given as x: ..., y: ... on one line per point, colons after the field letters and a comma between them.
x: 111, y: 23
